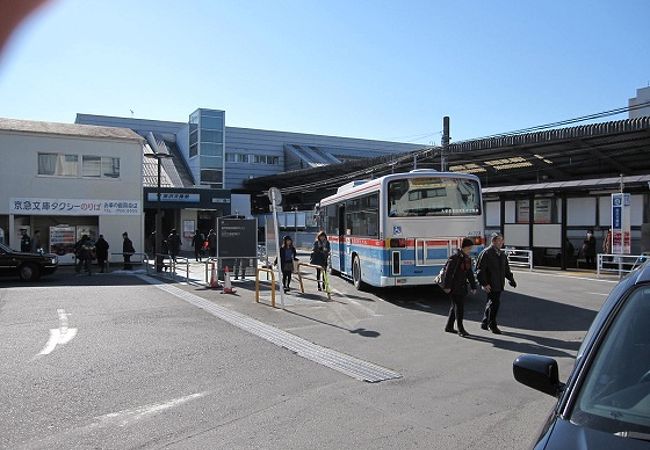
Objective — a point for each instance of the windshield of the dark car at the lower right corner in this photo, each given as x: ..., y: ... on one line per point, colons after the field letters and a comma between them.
x: 615, y: 395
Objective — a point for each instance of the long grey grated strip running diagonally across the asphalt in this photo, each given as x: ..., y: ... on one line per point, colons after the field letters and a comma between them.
x: 349, y: 365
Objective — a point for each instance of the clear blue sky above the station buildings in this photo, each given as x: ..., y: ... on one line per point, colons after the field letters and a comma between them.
x: 373, y: 69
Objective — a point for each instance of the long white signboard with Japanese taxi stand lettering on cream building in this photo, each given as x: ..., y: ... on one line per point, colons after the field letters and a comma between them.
x: 74, y: 207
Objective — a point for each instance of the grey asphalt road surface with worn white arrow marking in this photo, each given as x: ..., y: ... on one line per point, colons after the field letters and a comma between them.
x: 137, y: 367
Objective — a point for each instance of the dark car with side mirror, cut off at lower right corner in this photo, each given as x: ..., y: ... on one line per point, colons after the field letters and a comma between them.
x: 605, y: 403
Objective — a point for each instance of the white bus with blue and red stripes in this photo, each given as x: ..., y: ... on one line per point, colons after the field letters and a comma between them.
x: 399, y: 229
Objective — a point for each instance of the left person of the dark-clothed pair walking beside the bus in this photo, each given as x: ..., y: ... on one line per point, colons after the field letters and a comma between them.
x: 458, y: 273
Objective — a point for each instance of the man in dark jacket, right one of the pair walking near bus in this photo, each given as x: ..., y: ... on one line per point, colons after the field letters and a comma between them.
x: 492, y: 271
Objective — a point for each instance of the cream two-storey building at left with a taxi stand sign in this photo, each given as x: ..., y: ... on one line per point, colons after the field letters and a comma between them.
x: 66, y: 180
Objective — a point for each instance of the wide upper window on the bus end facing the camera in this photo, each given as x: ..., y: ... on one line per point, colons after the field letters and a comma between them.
x: 433, y: 196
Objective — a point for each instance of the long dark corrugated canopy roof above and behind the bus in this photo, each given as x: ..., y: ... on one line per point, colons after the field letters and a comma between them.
x: 599, y: 150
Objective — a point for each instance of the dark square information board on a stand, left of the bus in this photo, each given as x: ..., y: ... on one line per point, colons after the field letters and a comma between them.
x: 237, y: 238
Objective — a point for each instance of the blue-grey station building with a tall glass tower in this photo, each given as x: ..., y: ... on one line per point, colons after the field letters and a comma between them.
x: 211, y: 161
